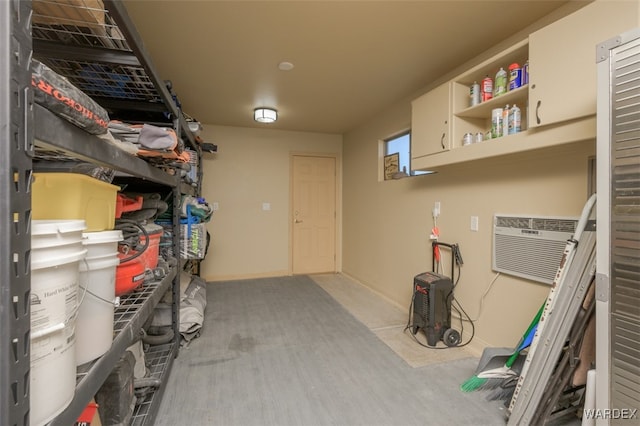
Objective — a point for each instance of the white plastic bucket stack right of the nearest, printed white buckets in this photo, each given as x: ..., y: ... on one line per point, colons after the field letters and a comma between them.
x: 97, y: 292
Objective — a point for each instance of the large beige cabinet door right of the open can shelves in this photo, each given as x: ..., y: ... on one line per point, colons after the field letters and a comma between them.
x: 562, y: 60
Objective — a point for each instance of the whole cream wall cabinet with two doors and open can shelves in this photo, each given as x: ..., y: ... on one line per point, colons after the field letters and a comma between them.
x: 558, y: 104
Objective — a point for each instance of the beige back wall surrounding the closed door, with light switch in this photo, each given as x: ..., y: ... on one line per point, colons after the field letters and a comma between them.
x: 251, y: 168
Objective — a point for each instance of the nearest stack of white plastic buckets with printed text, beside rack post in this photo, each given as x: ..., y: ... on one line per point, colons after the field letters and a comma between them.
x: 56, y: 251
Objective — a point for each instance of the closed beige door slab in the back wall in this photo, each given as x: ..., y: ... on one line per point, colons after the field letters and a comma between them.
x: 314, y: 214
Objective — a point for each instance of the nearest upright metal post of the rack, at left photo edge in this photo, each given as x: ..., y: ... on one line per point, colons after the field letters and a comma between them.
x: 16, y: 143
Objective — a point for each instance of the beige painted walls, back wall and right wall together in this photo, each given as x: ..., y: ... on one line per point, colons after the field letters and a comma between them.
x: 385, y: 225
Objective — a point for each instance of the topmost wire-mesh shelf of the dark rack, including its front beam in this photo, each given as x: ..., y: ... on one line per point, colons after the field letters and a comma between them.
x: 94, y: 45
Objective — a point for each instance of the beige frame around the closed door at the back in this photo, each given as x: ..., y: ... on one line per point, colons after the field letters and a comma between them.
x: 338, y: 193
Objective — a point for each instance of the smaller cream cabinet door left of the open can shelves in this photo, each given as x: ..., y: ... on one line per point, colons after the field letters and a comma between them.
x: 430, y: 122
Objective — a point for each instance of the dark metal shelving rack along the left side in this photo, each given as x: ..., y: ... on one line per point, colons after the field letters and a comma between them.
x: 107, y: 62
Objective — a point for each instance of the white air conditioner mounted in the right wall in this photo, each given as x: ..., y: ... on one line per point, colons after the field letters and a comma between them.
x: 530, y: 247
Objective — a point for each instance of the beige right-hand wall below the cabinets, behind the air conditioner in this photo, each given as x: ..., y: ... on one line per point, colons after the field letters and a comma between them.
x: 386, y: 224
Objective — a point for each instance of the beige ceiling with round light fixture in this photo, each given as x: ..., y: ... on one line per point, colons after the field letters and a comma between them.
x: 351, y: 58
